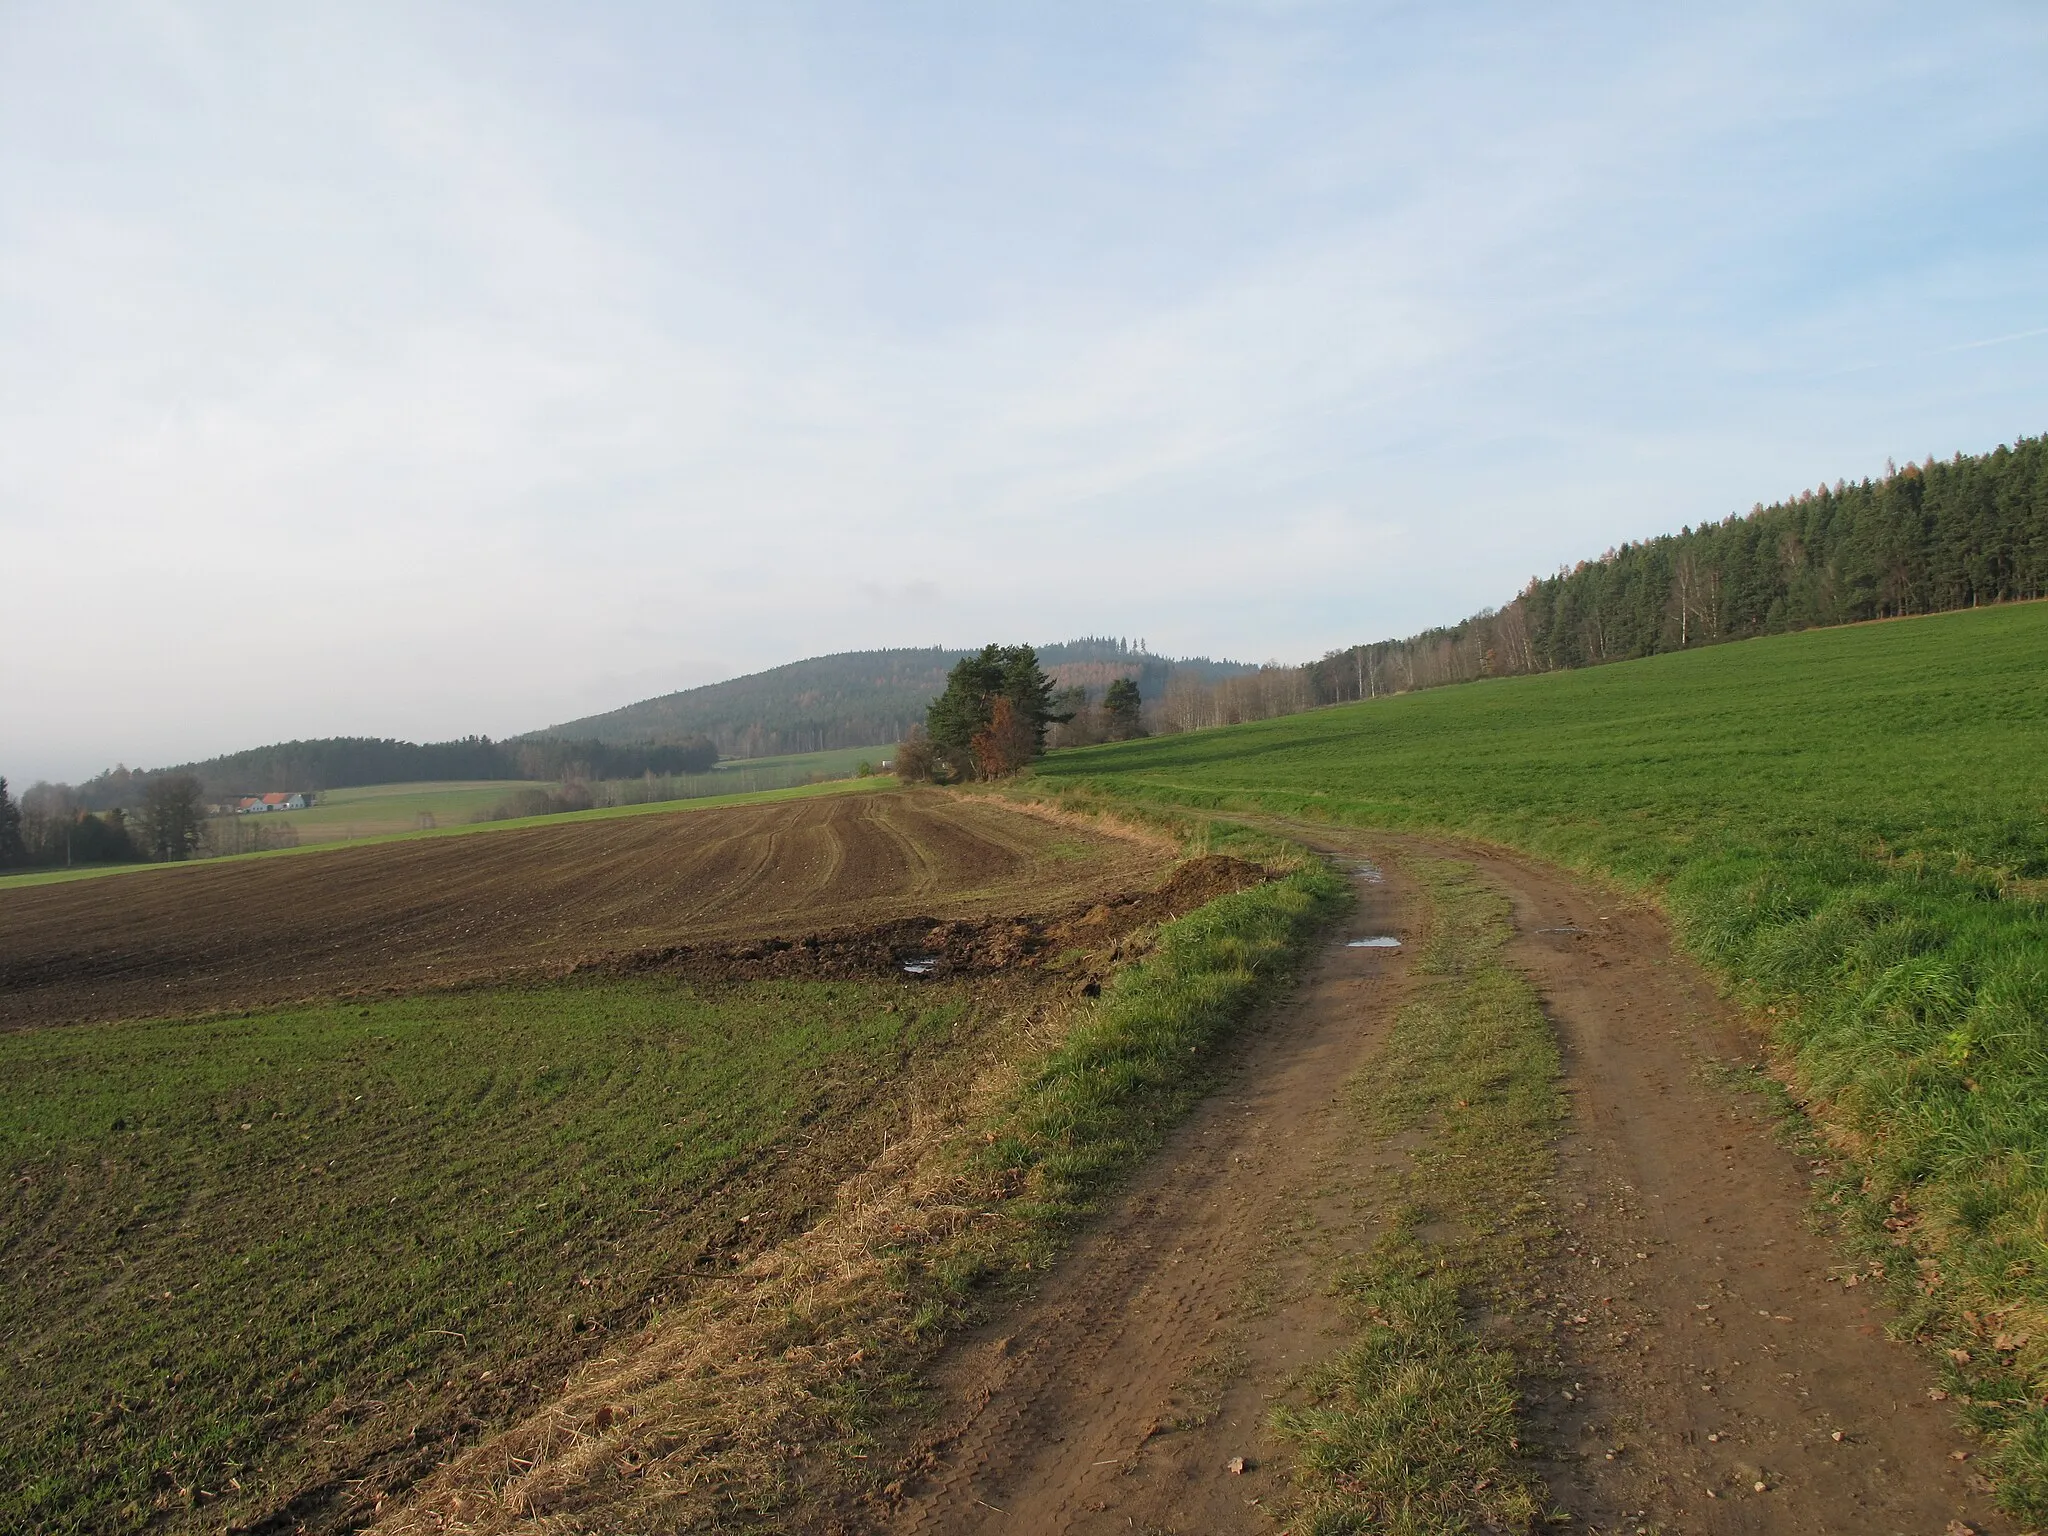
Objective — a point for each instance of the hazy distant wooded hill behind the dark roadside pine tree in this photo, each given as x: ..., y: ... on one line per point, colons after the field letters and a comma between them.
x: 857, y: 699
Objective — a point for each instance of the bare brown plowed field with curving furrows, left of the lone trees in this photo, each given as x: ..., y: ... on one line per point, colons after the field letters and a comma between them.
x: 439, y: 912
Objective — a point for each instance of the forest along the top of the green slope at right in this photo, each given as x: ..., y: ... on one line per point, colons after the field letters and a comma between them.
x: 1922, y: 540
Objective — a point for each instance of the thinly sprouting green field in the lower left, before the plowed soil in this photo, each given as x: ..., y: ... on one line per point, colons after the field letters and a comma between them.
x: 259, y: 1258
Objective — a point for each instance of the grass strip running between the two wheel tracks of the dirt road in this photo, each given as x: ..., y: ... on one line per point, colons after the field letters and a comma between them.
x: 1412, y: 1431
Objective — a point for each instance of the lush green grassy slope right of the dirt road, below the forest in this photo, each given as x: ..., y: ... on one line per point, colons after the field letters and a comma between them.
x: 1852, y: 826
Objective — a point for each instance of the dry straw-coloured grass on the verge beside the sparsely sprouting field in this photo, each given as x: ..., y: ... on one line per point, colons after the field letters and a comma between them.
x: 740, y: 1400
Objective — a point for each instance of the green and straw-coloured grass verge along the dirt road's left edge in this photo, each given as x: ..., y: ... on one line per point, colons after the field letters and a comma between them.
x: 790, y: 1383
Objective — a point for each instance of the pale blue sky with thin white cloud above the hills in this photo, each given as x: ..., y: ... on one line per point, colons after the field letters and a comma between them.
x: 425, y: 370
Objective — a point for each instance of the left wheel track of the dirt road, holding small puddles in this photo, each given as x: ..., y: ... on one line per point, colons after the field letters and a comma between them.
x: 1080, y: 1412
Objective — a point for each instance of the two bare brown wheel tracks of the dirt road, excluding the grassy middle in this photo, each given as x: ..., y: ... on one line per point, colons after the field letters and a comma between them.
x: 1707, y: 1377
